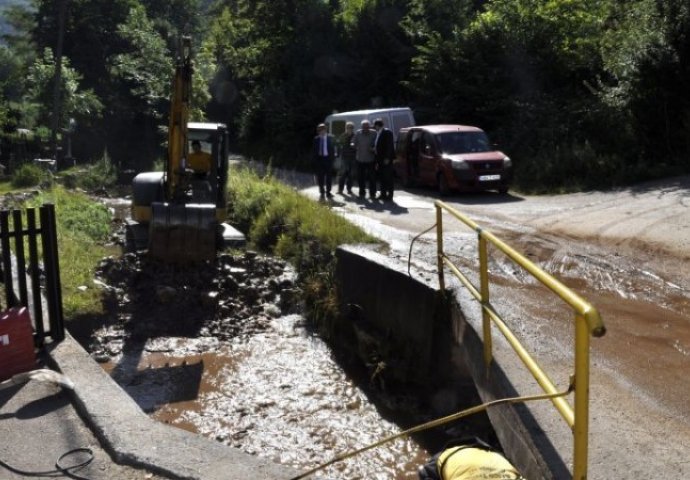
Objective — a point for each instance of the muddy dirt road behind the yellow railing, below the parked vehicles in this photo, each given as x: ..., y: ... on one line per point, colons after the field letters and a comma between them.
x: 628, y: 253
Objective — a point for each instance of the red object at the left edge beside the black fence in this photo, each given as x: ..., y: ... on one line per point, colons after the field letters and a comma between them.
x: 17, y: 350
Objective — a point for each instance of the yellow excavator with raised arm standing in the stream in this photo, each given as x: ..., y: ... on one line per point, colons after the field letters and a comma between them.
x: 178, y: 214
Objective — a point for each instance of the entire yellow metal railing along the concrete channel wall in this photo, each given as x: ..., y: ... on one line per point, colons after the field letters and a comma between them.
x: 587, y: 322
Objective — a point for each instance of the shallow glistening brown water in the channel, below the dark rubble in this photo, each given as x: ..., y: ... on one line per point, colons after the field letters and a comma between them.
x: 280, y: 395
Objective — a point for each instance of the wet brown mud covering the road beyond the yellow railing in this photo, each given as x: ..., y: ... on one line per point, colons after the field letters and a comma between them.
x: 644, y: 300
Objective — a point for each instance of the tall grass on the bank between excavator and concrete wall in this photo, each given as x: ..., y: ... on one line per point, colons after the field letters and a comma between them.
x: 280, y: 221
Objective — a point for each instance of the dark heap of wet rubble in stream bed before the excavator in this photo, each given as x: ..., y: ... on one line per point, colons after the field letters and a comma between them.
x: 226, y: 301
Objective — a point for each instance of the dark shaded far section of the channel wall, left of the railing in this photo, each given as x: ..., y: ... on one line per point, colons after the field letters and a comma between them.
x: 394, y: 317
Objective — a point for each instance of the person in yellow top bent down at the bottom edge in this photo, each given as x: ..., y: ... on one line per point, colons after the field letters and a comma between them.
x: 475, y: 461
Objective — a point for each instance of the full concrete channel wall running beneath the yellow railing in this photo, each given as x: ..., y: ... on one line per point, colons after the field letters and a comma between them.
x: 423, y: 335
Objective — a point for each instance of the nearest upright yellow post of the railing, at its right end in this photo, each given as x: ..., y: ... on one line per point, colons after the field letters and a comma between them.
x: 581, y: 407
